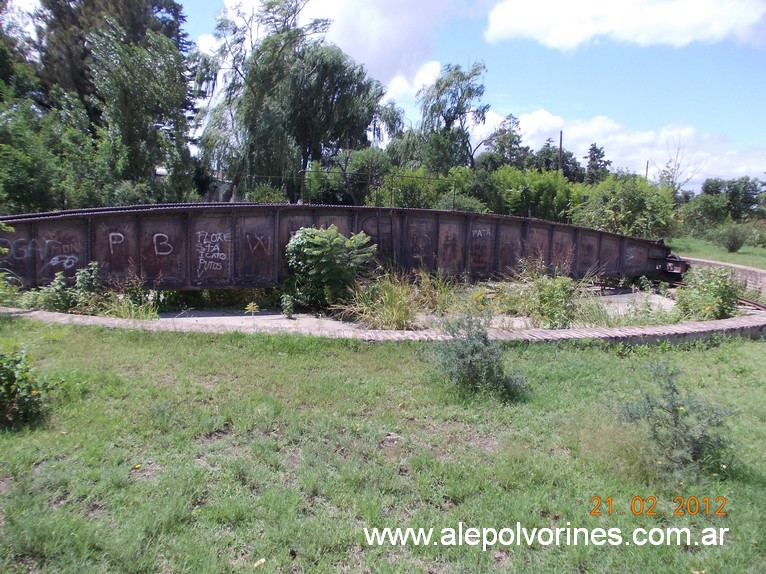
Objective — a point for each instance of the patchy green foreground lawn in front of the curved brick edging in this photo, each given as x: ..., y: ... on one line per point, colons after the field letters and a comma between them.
x: 284, y: 448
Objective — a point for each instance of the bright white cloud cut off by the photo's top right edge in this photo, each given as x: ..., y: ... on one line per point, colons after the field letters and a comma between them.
x: 565, y: 24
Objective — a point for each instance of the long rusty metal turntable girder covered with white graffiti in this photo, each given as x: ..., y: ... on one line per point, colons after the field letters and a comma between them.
x: 242, y: 245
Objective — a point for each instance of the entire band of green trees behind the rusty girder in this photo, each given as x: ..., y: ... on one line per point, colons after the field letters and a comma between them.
x: 111, y: 104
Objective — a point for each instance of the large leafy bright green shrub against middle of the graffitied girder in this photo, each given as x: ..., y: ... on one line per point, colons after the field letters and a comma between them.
x: 326, y: 264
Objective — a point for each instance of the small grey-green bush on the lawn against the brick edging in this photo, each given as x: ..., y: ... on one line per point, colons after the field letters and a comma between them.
x: 471, y: 361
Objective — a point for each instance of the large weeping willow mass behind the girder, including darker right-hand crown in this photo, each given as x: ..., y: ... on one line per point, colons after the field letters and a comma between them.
x: 288, y: 99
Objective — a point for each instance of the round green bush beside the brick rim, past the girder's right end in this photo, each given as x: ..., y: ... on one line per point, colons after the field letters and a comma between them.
x: 708, y: 293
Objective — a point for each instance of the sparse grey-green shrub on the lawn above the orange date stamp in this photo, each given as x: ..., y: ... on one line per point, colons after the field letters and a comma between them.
x: 682, y: 427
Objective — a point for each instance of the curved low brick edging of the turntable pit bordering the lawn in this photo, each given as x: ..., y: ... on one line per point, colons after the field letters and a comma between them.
x: 751, y: 325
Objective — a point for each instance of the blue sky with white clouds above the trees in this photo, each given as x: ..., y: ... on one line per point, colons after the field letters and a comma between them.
x: 646, y: 80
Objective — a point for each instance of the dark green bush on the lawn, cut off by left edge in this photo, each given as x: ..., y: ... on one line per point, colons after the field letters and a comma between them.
x: 21, y: 396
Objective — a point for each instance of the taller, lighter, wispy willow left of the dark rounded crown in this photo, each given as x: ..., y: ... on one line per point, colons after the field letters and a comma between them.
x: 246, y: 133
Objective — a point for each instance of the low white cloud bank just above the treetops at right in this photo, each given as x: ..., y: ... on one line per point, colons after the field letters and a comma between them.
x: 705, y: 155
